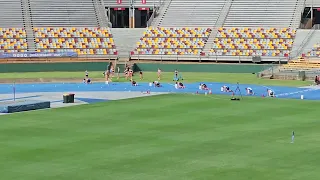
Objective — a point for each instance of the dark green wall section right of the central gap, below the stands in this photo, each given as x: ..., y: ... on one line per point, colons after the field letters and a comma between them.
x: 221, y: 68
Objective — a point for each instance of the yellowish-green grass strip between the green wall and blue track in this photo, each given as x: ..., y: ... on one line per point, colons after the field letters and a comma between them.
x: 244, y: 78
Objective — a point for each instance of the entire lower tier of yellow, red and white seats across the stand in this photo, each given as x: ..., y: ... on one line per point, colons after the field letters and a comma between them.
x: 157, y: 40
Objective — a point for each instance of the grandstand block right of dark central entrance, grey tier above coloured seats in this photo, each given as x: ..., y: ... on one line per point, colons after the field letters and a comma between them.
x: 239, y: 30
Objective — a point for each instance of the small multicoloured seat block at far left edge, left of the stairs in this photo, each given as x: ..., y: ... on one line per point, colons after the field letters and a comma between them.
x: 13, y: 40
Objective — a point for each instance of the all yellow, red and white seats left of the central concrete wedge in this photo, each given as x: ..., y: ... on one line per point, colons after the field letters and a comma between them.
x: 59, y: 39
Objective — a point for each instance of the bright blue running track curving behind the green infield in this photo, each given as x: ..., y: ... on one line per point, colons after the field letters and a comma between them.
x: 280, y: 92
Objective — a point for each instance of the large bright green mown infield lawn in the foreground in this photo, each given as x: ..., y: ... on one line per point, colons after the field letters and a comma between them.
x: 167, y: 137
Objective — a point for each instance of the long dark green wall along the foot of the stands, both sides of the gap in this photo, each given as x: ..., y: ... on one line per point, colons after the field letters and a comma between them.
x: 101, y: 66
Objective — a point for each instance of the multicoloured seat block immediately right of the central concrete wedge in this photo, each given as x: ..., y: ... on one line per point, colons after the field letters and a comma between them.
x: 173, y: 41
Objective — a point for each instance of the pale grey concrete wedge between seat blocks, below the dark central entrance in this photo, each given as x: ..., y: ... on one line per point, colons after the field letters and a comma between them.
x: 125, y: 39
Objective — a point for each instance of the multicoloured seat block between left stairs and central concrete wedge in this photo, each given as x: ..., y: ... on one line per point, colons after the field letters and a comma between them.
x: 84, y: 41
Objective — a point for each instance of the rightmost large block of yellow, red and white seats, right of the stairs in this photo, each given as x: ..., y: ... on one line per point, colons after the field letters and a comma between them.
x: 253, y: 42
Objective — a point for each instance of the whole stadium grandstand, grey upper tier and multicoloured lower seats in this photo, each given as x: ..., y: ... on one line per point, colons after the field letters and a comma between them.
x: 218, y: 30
